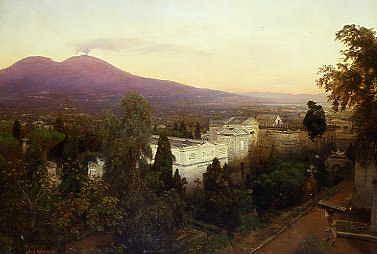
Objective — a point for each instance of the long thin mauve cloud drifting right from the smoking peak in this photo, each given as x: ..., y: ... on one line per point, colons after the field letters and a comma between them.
x: 136, y: 46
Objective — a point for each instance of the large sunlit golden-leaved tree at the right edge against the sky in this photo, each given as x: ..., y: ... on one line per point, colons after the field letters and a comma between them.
x: 352, y: 83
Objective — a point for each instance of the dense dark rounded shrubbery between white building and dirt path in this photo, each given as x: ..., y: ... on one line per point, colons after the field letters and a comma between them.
x: 281, y: 186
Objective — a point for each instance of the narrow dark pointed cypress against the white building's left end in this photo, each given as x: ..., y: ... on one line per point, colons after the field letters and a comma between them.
x: 163, y: 162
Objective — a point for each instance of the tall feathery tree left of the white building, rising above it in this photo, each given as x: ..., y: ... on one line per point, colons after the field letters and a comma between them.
x: 126, y: 144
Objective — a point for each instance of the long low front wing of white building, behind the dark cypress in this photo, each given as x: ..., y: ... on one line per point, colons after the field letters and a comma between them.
x: 192, y: 157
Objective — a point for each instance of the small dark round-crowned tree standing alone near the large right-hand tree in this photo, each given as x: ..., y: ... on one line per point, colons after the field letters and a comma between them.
x: 315, y: 120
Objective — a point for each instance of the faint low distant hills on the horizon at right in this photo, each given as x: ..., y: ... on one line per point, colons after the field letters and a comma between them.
x: 285, y: 98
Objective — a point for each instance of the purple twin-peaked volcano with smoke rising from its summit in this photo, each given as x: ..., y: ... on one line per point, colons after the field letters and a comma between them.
x: 92, y: 84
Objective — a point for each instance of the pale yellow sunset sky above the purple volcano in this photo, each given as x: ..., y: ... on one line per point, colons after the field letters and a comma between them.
x: 235, y: 45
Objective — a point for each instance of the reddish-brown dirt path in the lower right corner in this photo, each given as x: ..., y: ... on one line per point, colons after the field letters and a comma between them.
x: 313, y: 223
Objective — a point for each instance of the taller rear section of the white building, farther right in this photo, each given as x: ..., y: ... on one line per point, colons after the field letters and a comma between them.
x: 238, y: 133
